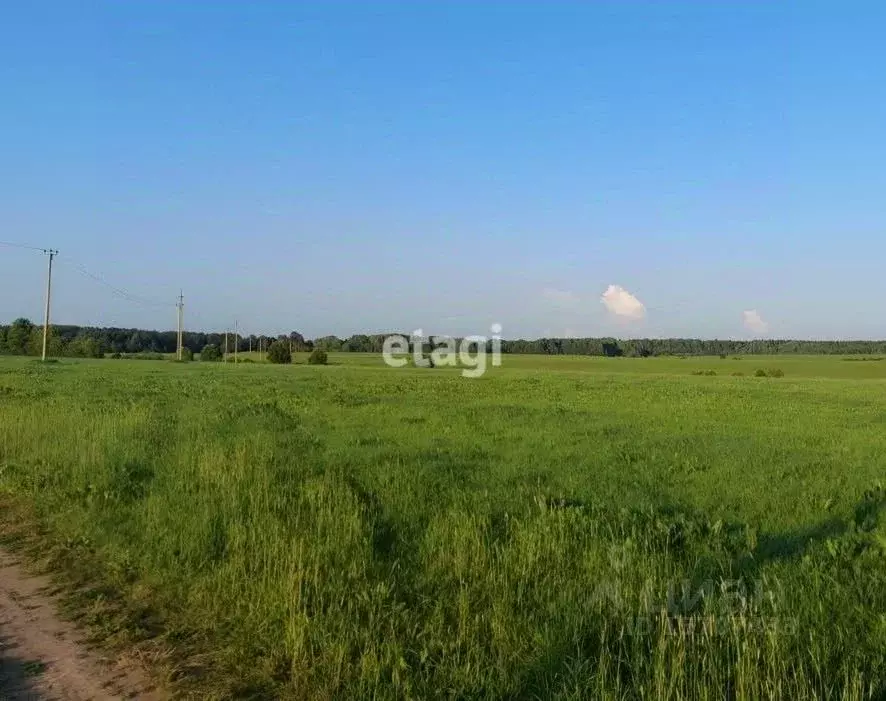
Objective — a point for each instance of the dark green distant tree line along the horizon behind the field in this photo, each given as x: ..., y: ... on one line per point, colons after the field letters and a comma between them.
x: 22, y: 337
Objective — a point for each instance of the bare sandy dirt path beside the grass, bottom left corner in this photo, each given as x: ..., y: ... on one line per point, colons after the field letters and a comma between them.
x: 42, y: 657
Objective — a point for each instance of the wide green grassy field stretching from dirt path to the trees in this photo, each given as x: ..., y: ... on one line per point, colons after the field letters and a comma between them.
x: 564, y: 527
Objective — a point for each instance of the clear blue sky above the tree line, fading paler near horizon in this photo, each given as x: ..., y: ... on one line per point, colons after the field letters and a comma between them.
x: 365, y: 166
